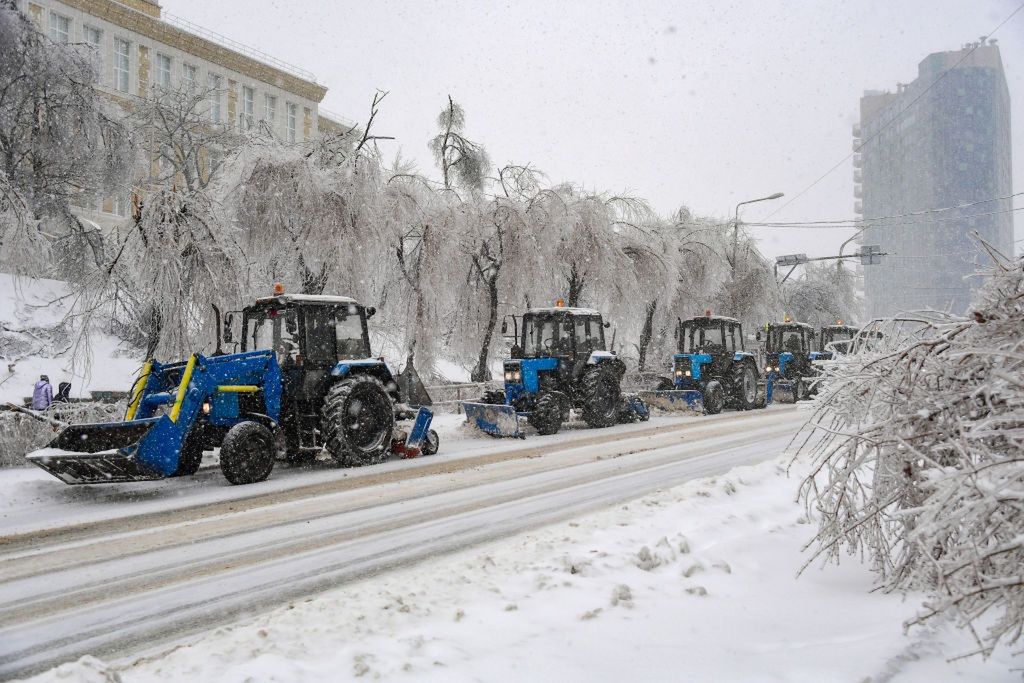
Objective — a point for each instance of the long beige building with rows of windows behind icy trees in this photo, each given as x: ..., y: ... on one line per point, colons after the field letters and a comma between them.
x: 141, y: 51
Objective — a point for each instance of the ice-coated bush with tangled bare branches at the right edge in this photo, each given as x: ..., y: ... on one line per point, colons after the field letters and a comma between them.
x: 919, y: 450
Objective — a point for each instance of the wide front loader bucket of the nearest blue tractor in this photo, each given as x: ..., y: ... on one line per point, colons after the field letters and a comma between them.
x: 98, y: 454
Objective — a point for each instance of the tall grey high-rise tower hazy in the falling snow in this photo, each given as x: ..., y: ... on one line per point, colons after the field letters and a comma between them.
x: 949, y: 149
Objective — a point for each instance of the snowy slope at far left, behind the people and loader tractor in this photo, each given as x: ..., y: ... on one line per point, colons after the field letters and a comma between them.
x: 35, y: 340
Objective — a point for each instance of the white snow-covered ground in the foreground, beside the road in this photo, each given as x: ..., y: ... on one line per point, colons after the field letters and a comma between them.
x: 697, y: 583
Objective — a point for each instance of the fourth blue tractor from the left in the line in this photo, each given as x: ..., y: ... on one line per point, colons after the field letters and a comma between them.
x: 789, y: 359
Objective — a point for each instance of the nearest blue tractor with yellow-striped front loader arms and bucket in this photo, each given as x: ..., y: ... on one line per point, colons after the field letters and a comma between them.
x: 303, y: 382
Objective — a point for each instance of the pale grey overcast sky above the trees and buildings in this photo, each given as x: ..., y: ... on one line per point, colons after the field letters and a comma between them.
x: 696, y: 104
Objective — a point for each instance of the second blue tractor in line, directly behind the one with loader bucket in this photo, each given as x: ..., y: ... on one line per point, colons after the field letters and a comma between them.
x: 560, y: 364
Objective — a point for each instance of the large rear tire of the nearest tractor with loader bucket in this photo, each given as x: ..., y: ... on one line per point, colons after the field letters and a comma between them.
x: 358, y: 421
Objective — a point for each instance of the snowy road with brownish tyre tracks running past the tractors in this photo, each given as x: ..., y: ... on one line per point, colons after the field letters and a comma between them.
x: 129, y: 583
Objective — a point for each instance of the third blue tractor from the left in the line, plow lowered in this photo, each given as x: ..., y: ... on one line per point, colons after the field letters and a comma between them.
x: 712, y: 369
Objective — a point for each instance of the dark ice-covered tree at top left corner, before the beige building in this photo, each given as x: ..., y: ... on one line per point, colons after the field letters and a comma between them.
x: 61, y: 141
